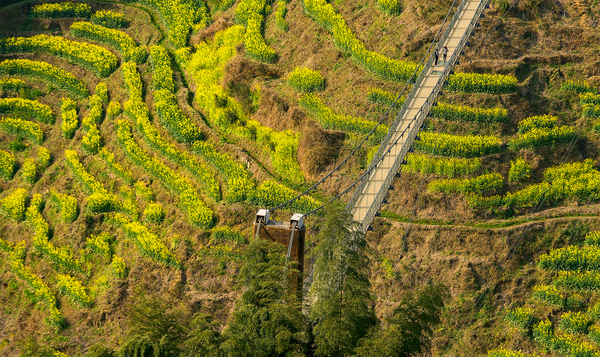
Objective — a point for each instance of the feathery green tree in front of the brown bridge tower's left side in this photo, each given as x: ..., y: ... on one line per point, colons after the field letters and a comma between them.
x: 267, y: 320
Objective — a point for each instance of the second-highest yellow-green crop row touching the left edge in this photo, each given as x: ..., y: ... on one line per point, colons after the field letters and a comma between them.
x: 45, y: 72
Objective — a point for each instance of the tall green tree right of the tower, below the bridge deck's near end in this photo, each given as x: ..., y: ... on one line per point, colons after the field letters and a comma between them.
x: 341, y: 291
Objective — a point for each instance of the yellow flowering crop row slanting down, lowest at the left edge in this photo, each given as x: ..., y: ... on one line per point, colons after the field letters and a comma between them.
x: 40, y: 289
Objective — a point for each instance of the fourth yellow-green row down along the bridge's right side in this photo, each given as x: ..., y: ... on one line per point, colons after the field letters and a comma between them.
x: 441, y: 165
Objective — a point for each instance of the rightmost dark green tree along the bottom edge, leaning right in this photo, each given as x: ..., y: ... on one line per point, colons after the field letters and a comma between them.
x: 409, y: 329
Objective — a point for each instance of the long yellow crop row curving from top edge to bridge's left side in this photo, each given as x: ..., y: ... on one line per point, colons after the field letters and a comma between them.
x: 325, y: 15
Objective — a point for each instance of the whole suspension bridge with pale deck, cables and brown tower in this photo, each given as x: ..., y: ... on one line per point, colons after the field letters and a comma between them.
x: 369, y: 191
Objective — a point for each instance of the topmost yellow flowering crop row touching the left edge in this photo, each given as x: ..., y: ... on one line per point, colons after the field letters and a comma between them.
x: 92, y: 57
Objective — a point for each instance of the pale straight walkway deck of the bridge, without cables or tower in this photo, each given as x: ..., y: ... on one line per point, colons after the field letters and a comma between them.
x: 371, y: 191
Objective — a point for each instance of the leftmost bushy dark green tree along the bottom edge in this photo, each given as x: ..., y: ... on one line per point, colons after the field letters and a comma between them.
x: 154, y: 331
